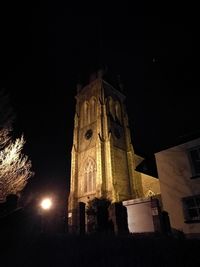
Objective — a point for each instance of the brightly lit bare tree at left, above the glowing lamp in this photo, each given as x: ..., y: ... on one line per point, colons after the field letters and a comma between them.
x: 15, y: 167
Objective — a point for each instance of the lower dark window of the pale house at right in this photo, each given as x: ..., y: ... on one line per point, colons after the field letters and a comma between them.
x: 192, y: 208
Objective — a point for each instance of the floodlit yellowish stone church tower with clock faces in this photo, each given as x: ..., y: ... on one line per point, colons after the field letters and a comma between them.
x: 102, y: 157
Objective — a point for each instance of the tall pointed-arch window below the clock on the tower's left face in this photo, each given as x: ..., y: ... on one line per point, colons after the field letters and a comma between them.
x: 89, y: 176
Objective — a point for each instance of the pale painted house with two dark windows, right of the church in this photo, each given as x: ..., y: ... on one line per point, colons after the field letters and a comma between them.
x: 179, y: 175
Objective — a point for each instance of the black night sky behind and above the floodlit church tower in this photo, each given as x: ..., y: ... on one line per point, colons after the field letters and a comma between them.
x: 46, y: 49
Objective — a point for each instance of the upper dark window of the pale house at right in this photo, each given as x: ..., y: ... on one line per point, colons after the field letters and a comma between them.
x: 194, y: 156
